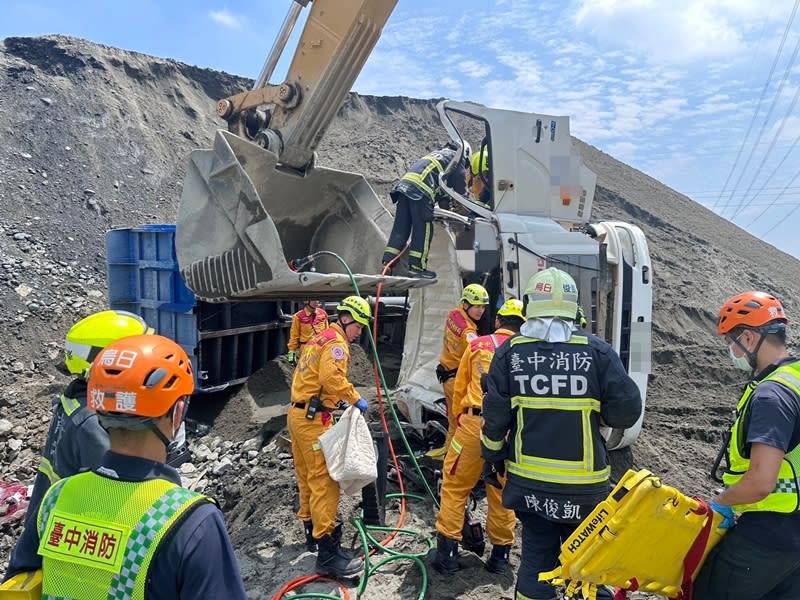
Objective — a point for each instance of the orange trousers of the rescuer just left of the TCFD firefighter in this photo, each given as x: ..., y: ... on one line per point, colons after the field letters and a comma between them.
x: 462, y: 470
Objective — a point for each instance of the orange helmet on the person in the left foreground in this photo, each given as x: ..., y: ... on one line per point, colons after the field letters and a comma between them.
x: 140, y: 376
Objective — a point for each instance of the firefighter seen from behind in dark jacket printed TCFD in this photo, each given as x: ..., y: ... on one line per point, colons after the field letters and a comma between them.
x: 548, y: 392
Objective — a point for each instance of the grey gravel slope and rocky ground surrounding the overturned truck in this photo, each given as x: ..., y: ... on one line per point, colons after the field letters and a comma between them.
x: 95, y: 137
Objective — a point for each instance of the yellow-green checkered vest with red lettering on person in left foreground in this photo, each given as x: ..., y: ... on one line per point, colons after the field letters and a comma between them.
x: 99, y: 535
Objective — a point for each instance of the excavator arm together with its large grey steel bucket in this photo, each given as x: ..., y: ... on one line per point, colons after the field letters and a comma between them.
x: 256, y: 202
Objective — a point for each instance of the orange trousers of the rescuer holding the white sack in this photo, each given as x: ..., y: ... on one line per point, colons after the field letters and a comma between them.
x: 319, y: 494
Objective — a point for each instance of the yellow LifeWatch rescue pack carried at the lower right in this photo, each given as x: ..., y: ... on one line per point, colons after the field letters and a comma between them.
x: 646, y: 536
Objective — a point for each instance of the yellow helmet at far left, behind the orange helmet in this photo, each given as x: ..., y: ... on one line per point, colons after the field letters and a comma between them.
x: 89, y: 336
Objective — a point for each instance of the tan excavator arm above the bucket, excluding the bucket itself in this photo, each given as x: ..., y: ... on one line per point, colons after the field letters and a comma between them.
x: 290, y: 118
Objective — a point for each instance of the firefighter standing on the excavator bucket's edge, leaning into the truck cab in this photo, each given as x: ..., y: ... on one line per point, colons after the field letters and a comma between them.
x: 415, y: 196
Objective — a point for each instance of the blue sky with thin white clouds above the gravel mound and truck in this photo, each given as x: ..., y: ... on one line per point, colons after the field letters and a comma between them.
x: 680, y: 89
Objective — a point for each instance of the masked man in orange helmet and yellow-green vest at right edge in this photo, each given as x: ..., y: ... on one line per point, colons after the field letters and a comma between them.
x: 760, y: 556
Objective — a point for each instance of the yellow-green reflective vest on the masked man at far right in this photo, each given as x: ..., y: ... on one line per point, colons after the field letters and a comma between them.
x: 784, y: 498
